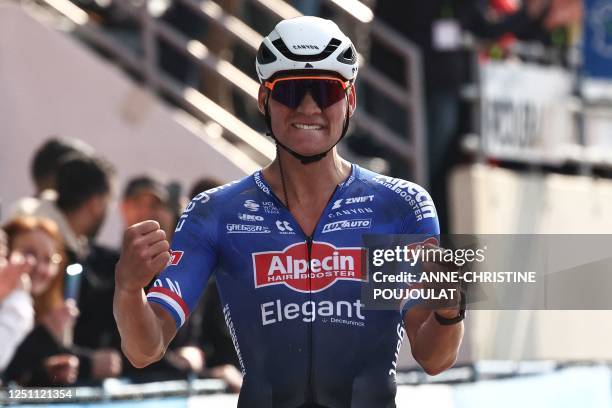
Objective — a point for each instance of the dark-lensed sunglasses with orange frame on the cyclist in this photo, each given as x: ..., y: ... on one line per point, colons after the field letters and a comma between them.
x: 290, y: 91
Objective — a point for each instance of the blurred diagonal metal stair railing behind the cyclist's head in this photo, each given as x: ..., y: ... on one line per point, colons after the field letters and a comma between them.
x: 410, y: 147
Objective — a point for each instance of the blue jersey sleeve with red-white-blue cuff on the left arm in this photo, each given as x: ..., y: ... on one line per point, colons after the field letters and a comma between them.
x: 193, y: 258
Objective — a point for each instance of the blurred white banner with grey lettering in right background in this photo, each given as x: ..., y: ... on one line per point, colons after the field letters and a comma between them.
x: 525, y: 112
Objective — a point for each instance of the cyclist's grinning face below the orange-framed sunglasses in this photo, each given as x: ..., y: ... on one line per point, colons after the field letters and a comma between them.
x: 308, y: 129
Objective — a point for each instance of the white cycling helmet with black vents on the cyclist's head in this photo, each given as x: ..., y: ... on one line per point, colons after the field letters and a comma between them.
x: 306, y: 44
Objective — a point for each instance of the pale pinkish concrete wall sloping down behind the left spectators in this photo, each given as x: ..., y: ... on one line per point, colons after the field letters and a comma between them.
x: 50, y: 84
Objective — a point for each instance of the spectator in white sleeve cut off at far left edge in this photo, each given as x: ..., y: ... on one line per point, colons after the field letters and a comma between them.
x: 16, y: 311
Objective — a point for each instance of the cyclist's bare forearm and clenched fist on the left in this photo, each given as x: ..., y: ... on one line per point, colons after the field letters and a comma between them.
x: 146, y: 329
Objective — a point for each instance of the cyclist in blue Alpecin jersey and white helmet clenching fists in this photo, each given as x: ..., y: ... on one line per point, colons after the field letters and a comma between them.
x: 285, y: 247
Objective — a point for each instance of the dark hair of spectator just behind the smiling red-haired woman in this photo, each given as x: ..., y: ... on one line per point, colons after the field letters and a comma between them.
x: 80, y: 178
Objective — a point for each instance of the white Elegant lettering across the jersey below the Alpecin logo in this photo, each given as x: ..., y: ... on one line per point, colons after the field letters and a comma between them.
x: 335, y: 312
